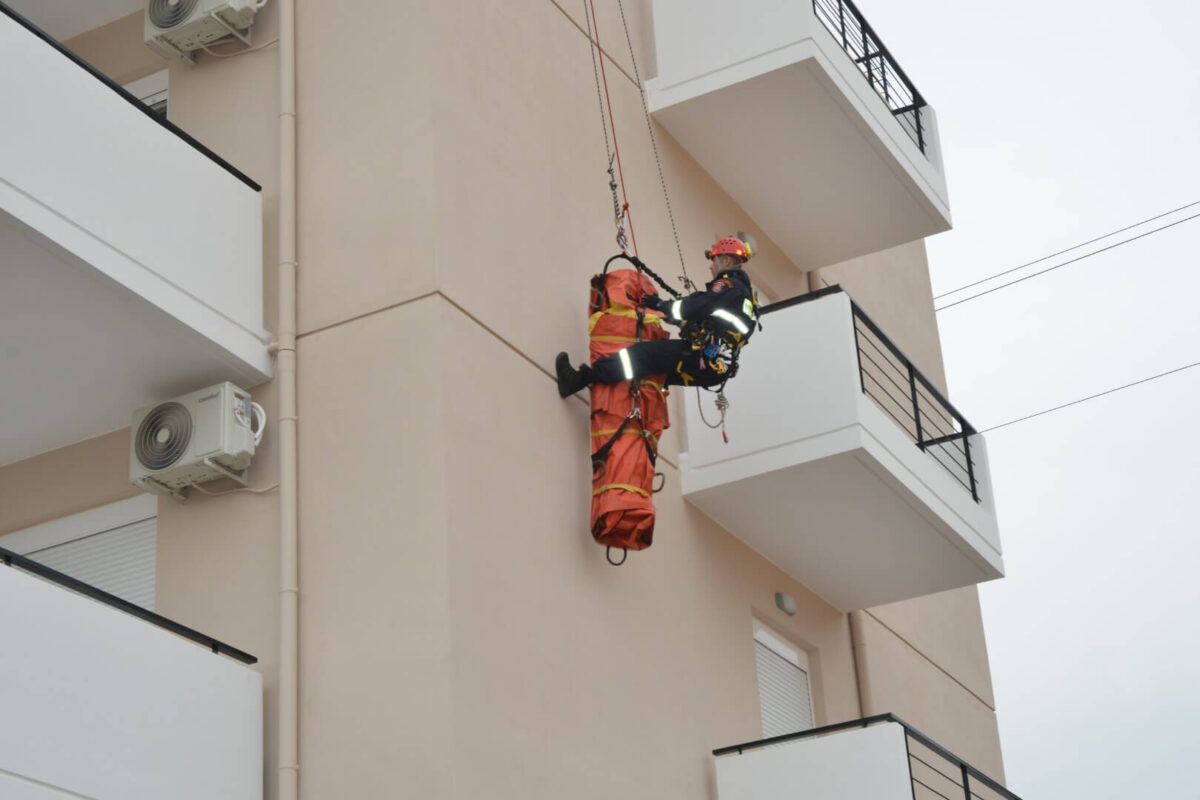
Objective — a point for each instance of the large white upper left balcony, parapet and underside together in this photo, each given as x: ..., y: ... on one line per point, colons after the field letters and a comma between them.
x: 131, y: 263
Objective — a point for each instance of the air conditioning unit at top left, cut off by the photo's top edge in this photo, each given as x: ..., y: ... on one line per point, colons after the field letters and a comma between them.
x: 175, y: 29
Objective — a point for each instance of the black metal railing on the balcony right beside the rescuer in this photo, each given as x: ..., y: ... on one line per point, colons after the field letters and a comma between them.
x: 903, y: 393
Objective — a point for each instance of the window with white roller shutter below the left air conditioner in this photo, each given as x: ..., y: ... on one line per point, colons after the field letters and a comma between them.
x: 113, y: 548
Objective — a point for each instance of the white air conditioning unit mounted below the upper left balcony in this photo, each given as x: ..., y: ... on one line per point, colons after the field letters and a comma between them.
x: 195, y: 438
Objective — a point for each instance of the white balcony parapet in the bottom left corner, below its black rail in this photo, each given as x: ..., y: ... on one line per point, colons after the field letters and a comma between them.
x: 103, y: 705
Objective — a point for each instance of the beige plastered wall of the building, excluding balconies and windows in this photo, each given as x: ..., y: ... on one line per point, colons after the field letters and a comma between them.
x: 460, y: 633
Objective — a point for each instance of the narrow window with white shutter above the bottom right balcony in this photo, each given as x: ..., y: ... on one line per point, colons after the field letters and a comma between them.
x: 784, y: 694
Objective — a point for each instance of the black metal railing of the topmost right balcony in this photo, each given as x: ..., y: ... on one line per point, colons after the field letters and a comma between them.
x: 843, y: 20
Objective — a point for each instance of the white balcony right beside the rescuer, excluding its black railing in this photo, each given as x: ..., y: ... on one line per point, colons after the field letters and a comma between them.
x: 819, y: 480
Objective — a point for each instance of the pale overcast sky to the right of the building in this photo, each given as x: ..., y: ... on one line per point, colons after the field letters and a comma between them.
x: 1063, y: 121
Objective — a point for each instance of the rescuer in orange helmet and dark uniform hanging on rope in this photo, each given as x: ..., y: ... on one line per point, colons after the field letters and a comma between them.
x: 716, y: 324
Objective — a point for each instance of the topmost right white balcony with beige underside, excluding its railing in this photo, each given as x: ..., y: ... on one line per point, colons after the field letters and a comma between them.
x: 770, y: 104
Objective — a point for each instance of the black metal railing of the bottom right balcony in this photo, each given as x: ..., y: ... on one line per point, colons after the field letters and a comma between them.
x: 934, y: 771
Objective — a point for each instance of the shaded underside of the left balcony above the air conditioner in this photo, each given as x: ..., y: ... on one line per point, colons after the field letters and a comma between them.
x: 80, y: 352
